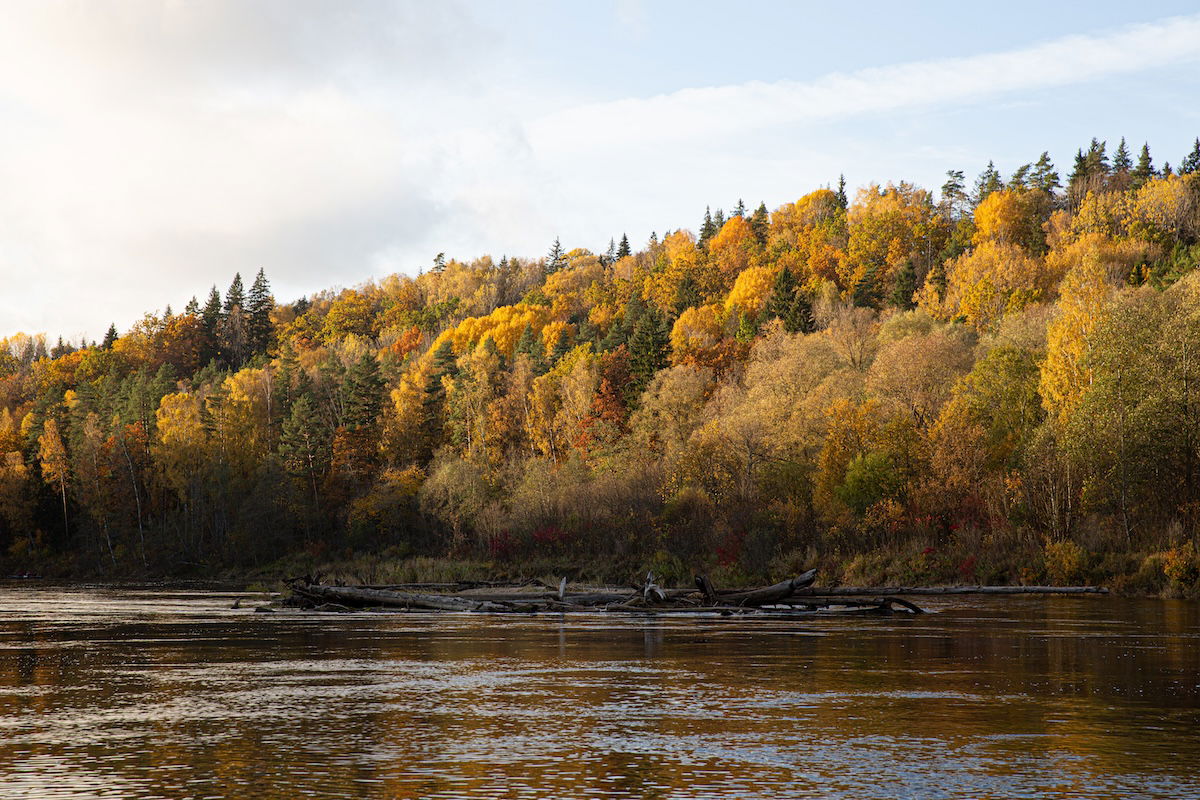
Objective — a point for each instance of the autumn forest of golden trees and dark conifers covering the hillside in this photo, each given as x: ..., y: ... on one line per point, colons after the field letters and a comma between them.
x: 995, y: 383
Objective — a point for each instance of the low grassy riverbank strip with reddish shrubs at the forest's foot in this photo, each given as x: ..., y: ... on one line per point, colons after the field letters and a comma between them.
x: 981, y: 560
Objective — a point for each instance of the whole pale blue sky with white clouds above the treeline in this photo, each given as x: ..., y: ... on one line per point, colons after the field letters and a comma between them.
x: 151, y: 149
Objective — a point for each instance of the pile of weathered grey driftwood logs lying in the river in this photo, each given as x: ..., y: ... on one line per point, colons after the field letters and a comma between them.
x: 788, y: 598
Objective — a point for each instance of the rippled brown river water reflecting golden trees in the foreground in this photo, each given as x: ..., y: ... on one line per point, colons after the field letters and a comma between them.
x: 117, y: 694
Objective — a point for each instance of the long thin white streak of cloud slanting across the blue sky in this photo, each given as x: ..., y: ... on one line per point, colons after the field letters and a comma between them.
x: 725, y: 112
